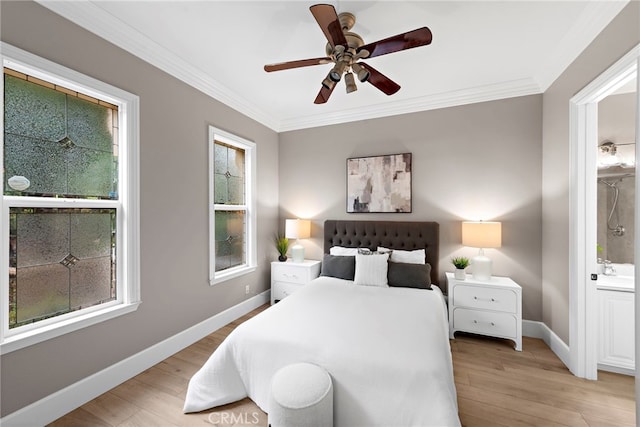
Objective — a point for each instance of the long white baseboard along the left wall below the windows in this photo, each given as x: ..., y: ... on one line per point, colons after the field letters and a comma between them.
x: 52, y: 407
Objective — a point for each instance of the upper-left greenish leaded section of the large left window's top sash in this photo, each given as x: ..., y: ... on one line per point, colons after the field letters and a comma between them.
x: 33, y: 110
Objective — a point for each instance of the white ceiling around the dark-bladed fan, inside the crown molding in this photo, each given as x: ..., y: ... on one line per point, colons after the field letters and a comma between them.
x: 481, y: 50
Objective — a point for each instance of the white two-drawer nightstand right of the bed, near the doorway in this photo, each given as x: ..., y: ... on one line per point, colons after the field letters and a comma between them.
x: 492, y: 307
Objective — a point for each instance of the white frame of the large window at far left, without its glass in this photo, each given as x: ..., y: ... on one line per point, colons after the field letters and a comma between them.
x: 127, y: 205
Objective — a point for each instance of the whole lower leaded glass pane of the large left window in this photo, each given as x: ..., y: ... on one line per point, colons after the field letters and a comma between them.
x: 60, y: 260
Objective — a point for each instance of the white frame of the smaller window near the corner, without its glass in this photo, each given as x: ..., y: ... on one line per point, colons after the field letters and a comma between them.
x: 249, y: 148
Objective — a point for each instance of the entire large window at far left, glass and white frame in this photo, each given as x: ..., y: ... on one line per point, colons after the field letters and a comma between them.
x: 69, y: 203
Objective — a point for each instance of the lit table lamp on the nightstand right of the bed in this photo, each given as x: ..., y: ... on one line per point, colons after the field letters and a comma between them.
x: 481, y: 234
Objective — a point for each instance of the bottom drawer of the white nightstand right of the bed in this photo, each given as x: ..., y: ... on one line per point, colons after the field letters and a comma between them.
x: 484, y: 322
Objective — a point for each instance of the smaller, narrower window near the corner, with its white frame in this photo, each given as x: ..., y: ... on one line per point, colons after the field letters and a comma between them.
x: 232, y: 205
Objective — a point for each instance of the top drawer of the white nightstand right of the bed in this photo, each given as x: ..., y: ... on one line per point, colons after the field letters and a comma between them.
x: 485, y: 298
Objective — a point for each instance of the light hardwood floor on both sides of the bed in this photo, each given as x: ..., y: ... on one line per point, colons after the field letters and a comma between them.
x: 496, y: 386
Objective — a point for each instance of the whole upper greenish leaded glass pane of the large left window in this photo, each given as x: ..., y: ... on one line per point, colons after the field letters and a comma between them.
x: 62, y: 144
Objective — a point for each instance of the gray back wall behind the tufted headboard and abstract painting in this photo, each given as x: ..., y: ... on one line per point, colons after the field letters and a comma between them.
x: 480, y: 161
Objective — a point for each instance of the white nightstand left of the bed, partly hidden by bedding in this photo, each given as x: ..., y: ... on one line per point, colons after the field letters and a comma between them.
x: 288, y: 277
